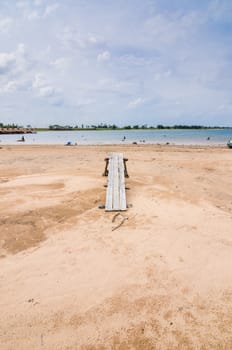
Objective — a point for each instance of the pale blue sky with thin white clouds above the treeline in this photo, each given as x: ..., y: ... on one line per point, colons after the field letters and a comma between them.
x: 74, y: 62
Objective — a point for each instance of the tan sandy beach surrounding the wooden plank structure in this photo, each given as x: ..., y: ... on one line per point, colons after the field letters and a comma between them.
x: 162, y: 280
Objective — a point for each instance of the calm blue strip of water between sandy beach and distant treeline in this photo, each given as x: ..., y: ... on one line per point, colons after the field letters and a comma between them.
x: 177, y: 137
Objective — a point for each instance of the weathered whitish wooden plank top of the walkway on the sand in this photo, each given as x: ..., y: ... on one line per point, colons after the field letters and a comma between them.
x: 116, y: 193
